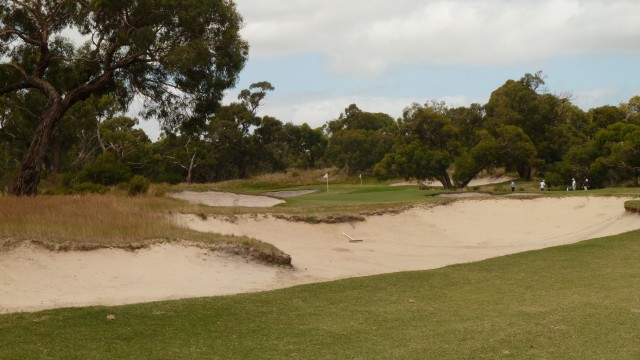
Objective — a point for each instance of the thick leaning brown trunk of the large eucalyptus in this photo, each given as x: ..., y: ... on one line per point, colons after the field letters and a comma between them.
x: 26, y: 182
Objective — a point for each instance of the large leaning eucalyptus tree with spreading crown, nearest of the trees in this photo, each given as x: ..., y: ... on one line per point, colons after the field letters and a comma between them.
x: 179, y: 55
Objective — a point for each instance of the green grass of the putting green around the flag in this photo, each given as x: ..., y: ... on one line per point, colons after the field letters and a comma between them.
x: 346, y: 197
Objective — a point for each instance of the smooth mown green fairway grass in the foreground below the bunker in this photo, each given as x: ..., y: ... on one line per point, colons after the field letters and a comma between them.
x: 580, y: 301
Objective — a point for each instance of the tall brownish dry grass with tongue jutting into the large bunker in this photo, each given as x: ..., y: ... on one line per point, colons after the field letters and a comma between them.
x: 97, y: 221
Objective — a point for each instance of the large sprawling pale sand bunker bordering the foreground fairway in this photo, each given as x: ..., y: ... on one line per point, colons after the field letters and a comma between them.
x: 421, y: 238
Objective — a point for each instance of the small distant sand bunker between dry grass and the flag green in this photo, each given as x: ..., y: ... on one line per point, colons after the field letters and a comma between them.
x: 215, y: 198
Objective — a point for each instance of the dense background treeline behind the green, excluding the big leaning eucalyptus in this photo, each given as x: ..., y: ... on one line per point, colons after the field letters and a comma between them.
x: 520, y: 129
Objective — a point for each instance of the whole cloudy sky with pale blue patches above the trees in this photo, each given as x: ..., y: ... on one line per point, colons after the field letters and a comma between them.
x: 322, y: 56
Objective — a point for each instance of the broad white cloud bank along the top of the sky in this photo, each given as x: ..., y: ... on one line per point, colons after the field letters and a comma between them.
x: 367, y: 38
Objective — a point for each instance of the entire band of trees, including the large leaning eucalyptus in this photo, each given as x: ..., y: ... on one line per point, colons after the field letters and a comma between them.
x: 62, y: 104
